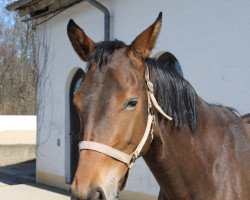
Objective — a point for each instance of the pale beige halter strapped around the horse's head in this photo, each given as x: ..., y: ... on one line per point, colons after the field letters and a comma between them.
x: 129, y: 159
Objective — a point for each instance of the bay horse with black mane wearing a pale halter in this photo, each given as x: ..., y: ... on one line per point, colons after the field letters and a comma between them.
x: 123, y: 102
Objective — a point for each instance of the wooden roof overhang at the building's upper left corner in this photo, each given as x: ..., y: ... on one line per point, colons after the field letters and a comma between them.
x: 33, y: 9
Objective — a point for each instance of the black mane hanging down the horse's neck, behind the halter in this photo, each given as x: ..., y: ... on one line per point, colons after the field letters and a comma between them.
x: 174, y: 94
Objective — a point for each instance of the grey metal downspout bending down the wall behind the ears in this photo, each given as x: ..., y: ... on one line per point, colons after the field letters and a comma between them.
x: 106, y: 17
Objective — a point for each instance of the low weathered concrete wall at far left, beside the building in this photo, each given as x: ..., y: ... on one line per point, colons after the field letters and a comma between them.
x: 13, y: 154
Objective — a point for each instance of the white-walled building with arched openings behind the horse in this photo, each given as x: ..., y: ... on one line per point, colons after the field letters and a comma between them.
x: 210, y: 38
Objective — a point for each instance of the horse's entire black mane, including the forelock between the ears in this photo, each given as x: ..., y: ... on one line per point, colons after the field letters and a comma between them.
x: 174, y: 94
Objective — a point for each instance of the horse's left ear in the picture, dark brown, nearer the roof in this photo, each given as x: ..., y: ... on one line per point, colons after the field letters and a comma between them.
x: 82, y: 44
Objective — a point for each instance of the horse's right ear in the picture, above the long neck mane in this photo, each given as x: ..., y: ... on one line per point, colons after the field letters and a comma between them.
x: 143, y: 44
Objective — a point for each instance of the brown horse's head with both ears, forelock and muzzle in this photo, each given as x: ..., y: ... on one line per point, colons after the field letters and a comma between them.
x: 112, y: 103
